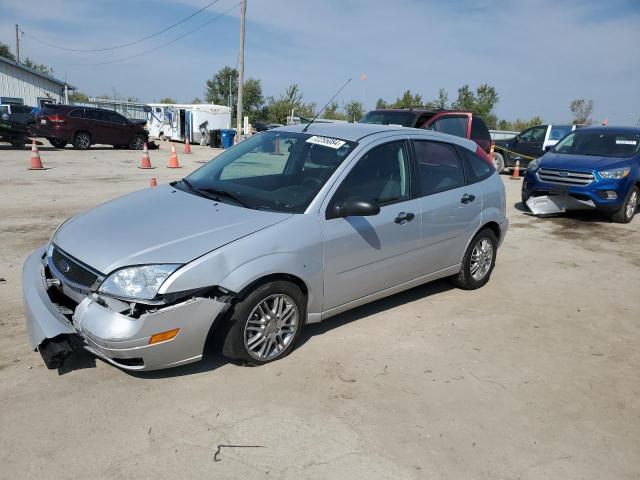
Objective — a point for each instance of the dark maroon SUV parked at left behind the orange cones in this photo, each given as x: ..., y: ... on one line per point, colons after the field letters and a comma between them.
x: 85, y: 126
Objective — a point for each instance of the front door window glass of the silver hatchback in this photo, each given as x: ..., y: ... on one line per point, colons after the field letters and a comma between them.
x: 382, y: 174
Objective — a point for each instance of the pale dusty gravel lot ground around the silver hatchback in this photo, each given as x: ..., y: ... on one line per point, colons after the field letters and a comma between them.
x: 535, y: 376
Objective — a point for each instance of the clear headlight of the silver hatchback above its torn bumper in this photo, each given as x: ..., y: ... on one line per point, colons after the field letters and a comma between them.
x: 141, y: 282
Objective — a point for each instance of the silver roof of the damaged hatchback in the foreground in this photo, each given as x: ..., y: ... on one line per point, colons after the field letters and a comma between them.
x: 355, y: 132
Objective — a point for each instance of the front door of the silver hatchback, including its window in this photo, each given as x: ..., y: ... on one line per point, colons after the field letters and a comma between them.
x: 364, y: 255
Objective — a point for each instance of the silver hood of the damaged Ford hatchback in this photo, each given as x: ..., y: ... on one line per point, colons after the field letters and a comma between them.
x: 157, y: 225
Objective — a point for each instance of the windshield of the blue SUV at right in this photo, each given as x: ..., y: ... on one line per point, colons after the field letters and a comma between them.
x: 601, y: 144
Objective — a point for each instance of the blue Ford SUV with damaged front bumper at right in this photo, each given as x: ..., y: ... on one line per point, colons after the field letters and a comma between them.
x: 594, y: 168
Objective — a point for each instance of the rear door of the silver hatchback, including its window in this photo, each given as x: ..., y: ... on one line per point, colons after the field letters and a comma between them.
x: 451, y: 206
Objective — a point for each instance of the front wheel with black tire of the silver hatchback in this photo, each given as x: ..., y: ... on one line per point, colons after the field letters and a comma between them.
x: 247, y: 326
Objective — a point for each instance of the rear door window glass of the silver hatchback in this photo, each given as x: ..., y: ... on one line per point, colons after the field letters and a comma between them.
x: 439, y: 166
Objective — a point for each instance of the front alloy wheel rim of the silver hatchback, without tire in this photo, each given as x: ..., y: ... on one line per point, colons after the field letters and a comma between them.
x: 271, y: 327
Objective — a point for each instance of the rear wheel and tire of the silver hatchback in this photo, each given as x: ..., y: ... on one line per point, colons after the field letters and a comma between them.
x: 466, y: 278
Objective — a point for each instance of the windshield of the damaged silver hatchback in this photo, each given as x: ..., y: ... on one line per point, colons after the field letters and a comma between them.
x: 278, y: 171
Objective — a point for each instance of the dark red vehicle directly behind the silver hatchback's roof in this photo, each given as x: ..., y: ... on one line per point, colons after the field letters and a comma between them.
x: 461, y: 124
